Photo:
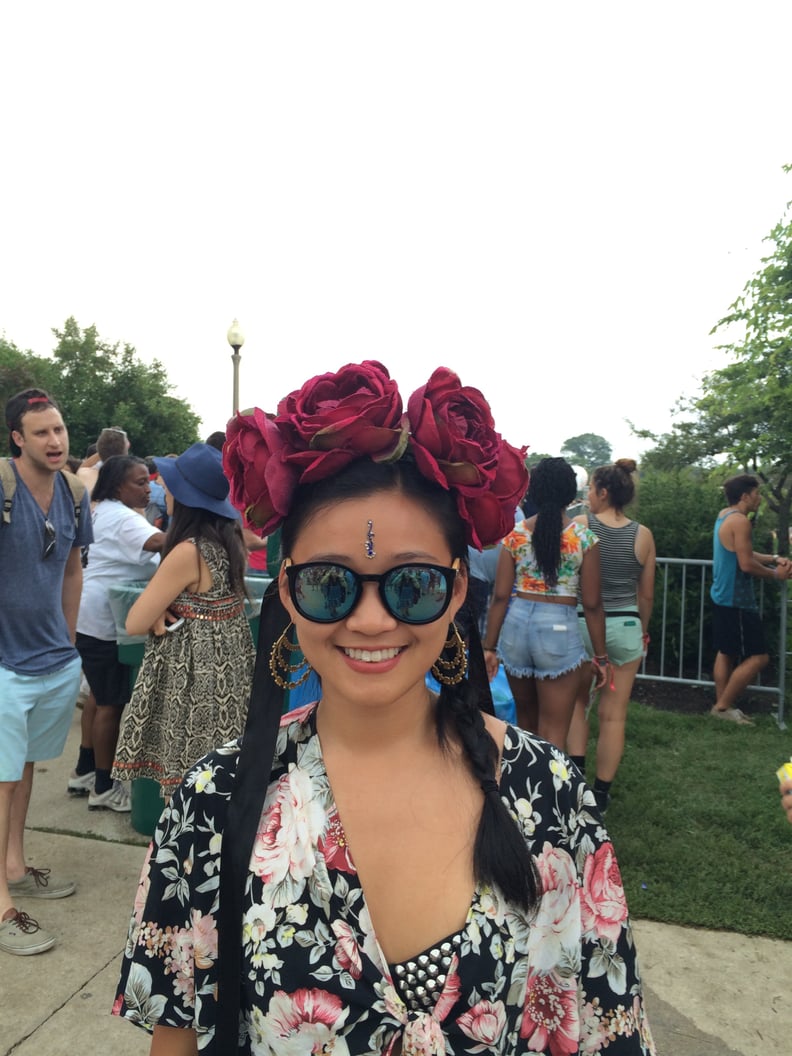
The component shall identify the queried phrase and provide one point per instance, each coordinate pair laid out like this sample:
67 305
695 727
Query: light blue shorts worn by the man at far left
36 712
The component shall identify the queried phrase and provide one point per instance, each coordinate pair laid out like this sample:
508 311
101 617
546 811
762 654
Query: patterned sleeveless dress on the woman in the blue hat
192 693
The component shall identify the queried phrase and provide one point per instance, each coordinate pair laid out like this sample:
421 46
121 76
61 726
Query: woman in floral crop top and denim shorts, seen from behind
533 624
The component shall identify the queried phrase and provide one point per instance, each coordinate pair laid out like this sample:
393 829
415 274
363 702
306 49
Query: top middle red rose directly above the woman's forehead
338 418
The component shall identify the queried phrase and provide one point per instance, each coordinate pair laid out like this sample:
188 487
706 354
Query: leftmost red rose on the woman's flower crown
262 481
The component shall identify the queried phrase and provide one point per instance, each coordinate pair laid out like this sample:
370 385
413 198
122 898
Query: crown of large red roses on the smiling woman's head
357 412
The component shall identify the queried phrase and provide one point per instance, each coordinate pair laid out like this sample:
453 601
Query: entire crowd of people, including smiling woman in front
388 869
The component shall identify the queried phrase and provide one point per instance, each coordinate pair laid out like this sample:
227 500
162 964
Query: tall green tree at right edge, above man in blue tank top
742 416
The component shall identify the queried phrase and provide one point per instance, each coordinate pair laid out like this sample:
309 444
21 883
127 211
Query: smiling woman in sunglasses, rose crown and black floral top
385 871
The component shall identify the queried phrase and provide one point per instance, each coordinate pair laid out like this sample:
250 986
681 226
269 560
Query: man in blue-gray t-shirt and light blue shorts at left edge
42 577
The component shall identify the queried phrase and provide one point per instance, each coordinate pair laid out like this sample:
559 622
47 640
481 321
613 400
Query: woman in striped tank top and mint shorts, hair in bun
628 579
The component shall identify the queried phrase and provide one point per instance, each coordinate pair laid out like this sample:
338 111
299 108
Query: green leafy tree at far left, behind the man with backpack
99 385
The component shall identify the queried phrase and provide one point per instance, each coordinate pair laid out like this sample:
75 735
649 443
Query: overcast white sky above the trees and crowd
558 201
